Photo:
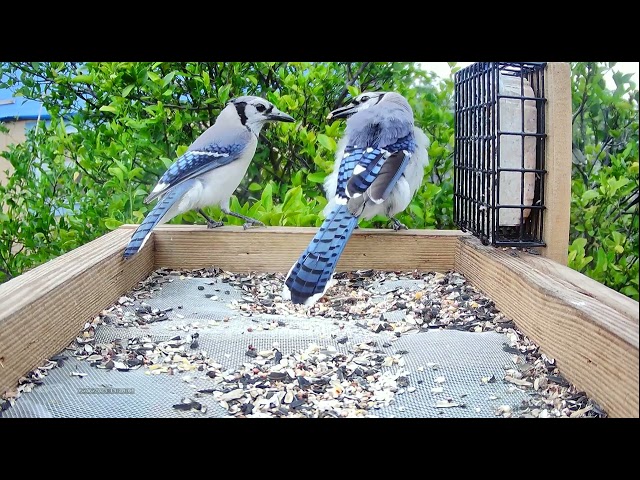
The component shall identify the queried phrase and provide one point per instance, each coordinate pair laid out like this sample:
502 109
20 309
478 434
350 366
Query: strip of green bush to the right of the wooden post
604 203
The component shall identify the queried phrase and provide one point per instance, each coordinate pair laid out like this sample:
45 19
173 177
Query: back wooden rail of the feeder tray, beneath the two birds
275 249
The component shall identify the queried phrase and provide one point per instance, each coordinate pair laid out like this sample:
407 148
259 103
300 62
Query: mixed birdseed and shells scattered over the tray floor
318 381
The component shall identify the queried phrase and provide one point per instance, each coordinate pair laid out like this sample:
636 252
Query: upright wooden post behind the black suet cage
557 191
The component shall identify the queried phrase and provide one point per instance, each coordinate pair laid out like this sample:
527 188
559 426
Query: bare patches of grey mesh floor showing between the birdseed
440 364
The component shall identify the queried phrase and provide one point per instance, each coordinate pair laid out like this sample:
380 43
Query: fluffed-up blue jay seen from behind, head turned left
379 165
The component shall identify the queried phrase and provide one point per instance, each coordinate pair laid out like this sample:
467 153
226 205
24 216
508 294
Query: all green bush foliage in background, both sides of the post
83 175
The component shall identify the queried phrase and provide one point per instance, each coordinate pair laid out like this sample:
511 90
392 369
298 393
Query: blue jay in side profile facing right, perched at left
211 169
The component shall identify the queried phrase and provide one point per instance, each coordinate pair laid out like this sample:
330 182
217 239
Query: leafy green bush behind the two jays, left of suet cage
84 174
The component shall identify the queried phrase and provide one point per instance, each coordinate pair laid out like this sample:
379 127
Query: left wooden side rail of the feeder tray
42 310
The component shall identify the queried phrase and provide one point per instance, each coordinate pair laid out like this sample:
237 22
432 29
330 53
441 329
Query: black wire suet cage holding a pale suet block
499 152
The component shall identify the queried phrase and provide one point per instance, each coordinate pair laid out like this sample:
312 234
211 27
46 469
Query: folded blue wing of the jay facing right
193 163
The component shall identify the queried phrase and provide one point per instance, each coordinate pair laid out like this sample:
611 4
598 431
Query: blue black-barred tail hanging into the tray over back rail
313 270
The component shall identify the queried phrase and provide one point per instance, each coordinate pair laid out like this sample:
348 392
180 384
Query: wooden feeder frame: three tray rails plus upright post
590 330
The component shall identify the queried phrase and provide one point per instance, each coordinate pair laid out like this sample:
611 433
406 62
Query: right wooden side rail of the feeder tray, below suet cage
589 329
